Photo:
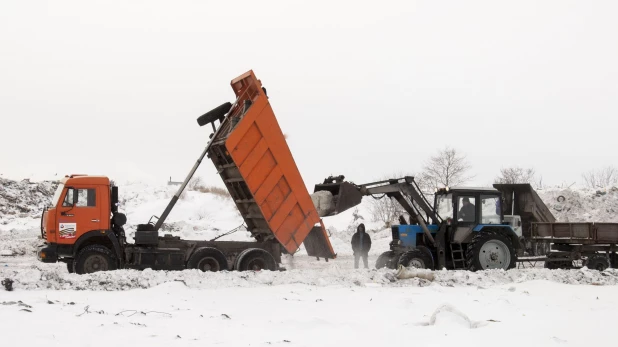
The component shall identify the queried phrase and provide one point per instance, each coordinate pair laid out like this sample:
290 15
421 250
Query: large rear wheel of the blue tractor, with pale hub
490 250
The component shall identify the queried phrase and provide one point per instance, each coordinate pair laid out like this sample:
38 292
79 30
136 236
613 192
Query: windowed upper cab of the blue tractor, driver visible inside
469 207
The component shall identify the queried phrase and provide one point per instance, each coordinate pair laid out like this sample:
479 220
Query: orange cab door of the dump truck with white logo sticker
85 215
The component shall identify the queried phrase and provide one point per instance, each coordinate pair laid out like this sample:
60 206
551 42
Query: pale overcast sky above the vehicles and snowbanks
363 89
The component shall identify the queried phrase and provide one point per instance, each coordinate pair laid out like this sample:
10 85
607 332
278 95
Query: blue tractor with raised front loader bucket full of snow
464 228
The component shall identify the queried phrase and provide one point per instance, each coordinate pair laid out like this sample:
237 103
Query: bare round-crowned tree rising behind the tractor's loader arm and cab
447 168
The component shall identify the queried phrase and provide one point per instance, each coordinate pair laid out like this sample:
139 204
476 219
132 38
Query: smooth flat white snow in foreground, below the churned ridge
529 313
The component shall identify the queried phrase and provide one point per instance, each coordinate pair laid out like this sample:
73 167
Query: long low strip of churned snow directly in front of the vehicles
57 278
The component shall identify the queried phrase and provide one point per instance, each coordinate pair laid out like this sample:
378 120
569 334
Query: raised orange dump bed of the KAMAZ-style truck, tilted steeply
252 157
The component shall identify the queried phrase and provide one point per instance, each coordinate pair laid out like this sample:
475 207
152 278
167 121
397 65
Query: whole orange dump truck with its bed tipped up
84 228
